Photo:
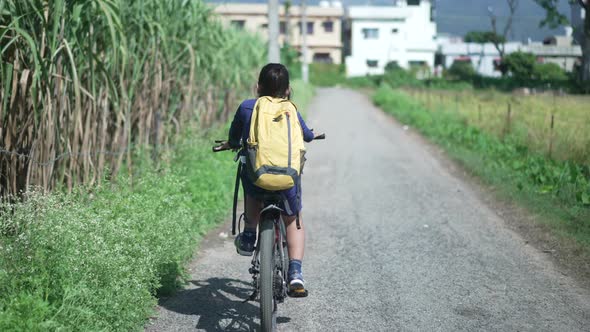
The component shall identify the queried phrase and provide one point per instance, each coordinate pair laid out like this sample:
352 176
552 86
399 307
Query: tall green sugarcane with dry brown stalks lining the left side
83 83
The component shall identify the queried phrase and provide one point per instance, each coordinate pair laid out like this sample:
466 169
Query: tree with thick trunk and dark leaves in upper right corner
554 19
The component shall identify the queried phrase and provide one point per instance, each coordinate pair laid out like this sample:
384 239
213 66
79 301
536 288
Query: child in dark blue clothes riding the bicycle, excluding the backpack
273 81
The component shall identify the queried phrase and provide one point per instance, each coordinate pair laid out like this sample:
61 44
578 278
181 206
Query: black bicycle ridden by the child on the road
270 261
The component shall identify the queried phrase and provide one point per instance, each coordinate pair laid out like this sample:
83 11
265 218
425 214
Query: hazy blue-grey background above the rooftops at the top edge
460 16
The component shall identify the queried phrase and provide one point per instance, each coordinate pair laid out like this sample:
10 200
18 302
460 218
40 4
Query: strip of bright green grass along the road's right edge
558 189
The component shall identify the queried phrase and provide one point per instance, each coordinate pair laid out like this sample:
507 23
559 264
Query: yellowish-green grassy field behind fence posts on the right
530 120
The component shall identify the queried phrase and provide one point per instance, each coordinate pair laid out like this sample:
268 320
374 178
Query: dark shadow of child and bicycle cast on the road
218 304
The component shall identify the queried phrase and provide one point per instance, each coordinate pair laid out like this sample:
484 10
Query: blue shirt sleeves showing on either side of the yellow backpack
240 126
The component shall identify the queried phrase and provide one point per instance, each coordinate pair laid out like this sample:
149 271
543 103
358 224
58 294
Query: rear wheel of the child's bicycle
267 260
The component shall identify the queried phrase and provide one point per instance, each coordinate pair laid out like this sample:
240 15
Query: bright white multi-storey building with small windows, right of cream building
378 35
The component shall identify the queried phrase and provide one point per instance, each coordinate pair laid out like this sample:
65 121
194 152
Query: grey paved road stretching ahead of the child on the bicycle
395 242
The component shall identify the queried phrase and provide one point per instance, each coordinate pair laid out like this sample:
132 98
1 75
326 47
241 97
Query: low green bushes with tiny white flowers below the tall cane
94 259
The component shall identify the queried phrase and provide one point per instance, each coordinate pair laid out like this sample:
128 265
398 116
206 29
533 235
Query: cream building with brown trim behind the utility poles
321 42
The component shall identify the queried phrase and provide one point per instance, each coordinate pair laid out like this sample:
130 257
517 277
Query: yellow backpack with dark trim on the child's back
275 147
